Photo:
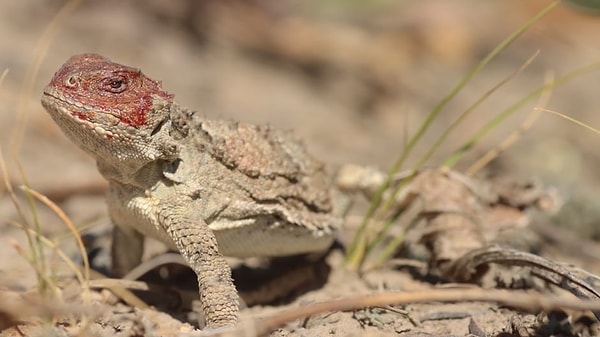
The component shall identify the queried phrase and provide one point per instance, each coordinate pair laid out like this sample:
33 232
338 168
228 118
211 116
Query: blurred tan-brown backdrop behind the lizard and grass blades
353 78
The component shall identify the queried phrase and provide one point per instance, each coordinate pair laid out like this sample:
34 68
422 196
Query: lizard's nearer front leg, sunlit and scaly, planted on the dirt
198 246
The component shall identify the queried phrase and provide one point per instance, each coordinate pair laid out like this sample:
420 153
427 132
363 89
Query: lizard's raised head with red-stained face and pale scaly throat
112 111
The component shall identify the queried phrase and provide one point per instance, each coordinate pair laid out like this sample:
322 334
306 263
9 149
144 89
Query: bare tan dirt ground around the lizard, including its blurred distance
353 80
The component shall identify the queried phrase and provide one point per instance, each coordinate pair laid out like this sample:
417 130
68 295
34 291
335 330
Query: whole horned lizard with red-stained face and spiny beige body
203 187
